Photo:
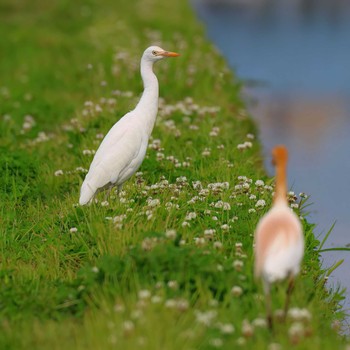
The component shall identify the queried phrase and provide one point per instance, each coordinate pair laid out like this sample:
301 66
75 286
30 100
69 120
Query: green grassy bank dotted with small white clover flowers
81 290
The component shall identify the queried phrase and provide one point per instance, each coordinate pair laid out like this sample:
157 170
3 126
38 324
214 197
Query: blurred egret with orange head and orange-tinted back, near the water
279 239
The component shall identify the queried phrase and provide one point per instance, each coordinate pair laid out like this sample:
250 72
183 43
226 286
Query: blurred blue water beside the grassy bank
294 56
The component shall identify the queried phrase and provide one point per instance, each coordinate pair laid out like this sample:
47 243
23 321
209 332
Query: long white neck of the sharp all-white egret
147 107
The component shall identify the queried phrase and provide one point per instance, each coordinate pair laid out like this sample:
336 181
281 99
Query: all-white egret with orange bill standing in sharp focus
124 147
